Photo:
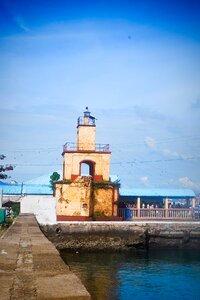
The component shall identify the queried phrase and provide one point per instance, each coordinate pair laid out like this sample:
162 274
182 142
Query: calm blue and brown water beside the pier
157 275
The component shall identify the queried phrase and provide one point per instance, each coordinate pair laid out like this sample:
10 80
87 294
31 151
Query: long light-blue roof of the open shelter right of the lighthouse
173 193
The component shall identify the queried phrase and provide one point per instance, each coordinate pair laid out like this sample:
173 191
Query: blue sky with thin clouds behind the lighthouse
136 64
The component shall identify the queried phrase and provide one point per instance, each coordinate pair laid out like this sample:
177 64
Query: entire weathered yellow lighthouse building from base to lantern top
92 195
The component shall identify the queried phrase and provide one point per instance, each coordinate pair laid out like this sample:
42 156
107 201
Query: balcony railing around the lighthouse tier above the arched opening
86 147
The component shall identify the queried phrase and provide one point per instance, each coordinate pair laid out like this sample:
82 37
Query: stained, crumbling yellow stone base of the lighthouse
85 198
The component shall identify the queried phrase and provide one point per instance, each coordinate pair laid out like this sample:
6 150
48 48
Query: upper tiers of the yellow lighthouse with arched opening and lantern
86 152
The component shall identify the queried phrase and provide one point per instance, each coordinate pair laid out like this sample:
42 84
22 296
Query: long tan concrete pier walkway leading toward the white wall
31 267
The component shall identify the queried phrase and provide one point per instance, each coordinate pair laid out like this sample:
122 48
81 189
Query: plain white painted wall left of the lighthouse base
42 206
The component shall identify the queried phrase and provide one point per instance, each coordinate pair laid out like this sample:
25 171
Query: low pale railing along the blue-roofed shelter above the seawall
158 213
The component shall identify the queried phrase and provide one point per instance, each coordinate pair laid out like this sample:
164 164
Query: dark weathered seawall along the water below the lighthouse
124 235
